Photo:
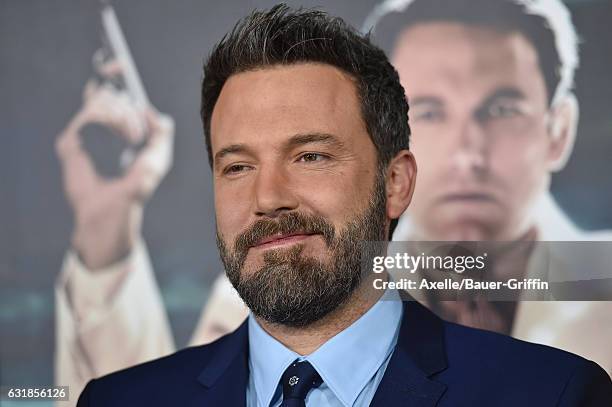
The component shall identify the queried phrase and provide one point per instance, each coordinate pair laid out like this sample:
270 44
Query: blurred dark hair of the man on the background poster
502 15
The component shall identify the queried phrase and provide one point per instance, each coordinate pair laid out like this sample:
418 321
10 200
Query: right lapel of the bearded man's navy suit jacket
419 354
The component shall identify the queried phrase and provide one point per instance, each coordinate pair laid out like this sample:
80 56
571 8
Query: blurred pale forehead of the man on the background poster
455 58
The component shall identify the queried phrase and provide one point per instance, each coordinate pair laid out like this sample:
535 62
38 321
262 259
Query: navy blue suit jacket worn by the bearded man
435 363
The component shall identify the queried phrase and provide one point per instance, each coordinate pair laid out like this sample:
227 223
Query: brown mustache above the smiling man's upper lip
293 222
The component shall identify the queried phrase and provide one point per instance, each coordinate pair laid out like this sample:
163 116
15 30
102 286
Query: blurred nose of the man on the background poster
471 152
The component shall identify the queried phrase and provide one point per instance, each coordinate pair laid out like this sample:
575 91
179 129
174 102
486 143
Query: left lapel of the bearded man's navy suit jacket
225 377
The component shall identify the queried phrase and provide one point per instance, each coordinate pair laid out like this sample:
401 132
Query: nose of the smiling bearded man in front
273 192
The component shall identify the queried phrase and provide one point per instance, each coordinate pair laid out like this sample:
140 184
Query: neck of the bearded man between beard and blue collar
305 340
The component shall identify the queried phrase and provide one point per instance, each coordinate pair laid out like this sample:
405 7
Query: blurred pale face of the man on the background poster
478 113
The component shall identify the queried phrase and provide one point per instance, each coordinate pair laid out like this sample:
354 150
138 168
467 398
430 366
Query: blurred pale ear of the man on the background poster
562 130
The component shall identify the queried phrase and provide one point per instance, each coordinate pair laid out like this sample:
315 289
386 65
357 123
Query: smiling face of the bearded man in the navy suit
296 188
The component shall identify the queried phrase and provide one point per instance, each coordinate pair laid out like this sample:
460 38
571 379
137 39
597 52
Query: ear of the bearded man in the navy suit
400 181
